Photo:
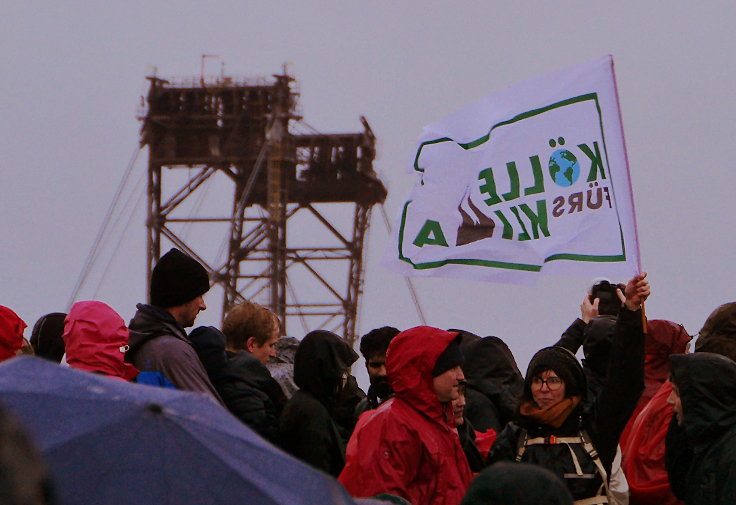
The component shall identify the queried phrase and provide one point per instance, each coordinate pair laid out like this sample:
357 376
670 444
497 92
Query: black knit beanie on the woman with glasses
564 364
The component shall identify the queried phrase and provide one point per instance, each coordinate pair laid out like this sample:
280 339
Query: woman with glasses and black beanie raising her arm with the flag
559 428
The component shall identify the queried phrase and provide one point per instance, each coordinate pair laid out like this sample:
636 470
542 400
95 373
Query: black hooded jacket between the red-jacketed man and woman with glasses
494 383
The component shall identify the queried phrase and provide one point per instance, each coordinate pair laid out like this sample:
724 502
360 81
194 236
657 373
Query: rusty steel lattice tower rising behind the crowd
277 216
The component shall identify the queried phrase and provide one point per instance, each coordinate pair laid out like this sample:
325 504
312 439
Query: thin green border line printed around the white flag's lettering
502 264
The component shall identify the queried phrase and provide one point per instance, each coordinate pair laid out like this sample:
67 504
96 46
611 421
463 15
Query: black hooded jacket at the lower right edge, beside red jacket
701 451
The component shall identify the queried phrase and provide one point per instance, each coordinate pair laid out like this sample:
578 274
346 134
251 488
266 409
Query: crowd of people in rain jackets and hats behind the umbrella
448 417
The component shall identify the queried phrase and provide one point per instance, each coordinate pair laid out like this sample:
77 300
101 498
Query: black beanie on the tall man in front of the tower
177 279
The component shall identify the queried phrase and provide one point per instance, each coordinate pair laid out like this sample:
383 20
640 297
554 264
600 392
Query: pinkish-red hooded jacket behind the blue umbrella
96 339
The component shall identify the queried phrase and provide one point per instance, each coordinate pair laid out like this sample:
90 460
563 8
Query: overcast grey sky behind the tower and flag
73 73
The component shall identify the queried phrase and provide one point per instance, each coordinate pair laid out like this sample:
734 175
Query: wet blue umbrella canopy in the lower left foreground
110 442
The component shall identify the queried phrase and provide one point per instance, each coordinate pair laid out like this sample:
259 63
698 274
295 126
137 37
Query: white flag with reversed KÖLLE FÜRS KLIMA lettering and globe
531 179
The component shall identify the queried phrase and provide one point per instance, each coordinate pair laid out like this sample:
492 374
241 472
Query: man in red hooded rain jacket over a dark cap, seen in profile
409 446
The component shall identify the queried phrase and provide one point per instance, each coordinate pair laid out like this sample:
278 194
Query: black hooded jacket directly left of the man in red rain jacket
307 427
